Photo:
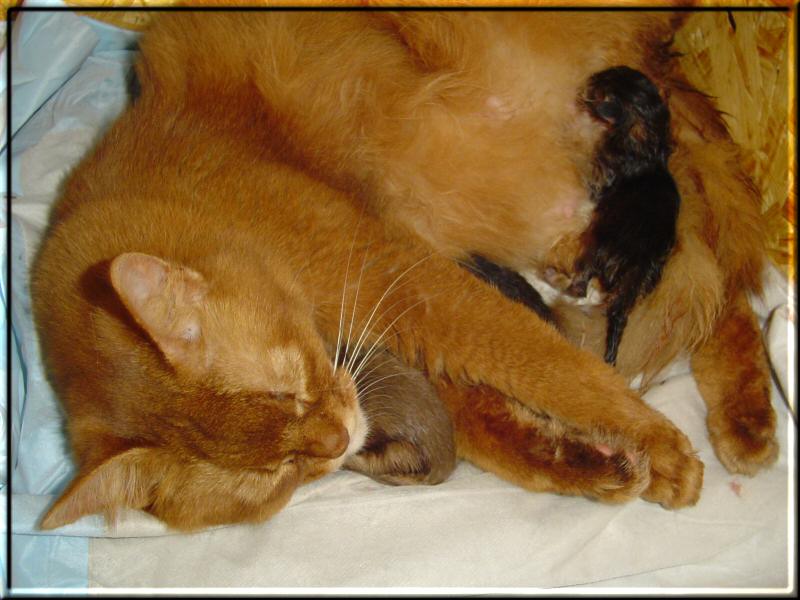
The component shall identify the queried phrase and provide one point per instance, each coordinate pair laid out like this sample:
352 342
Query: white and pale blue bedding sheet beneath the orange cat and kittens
474 532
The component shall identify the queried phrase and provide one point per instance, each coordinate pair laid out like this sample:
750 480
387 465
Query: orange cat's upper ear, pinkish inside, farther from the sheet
167 301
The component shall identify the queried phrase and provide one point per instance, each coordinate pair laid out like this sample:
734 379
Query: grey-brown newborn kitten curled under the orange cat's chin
410 439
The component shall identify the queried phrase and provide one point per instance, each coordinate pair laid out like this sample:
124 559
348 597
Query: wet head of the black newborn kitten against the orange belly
631 106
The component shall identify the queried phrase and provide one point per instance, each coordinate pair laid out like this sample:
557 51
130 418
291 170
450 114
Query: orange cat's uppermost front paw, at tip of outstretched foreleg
676 474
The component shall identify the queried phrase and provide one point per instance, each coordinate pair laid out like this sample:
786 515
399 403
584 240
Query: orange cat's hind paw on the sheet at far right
743 436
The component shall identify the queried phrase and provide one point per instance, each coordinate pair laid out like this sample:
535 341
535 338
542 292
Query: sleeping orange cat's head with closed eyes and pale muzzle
230 401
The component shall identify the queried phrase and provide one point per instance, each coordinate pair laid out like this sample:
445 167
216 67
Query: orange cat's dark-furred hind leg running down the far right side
729 363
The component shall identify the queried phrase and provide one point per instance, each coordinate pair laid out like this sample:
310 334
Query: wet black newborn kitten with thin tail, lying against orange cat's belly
632 230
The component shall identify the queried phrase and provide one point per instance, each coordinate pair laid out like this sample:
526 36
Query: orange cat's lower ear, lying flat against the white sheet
126 480
